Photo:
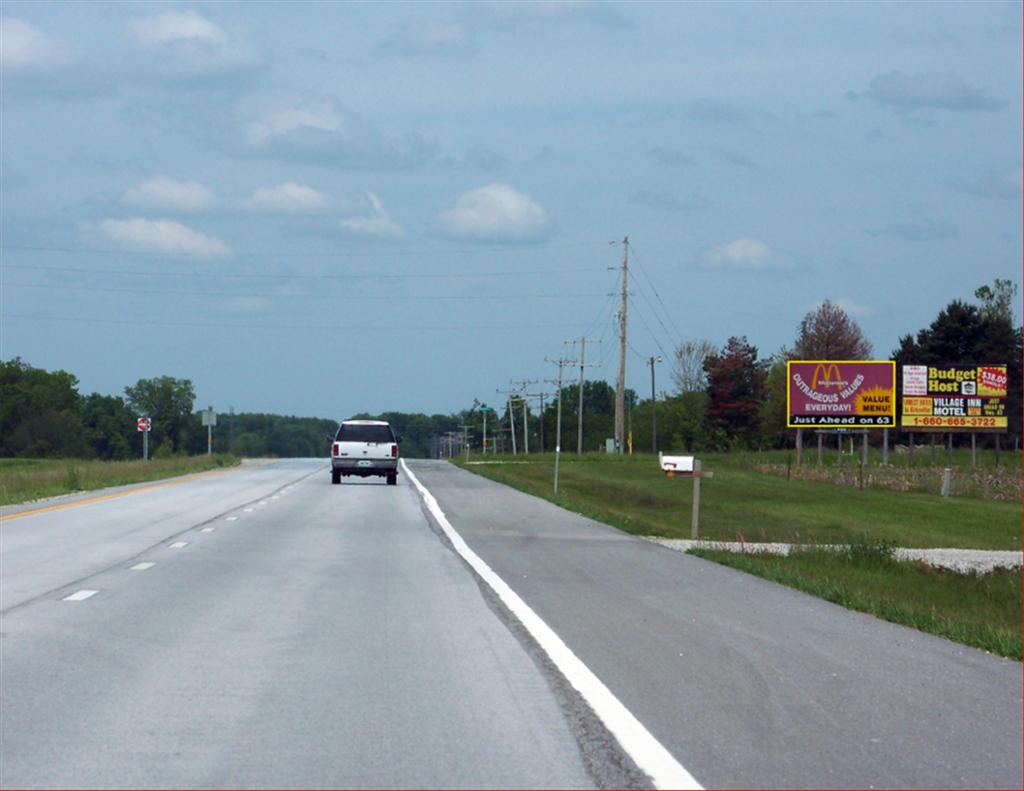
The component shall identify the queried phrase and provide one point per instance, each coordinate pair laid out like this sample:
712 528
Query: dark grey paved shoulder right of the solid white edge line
748 684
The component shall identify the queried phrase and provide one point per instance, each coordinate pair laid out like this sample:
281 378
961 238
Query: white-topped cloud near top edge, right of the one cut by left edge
188 48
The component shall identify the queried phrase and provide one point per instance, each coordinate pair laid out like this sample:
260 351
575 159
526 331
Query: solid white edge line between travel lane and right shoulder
637 741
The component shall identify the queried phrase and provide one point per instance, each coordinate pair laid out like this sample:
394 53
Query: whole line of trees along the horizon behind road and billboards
723 398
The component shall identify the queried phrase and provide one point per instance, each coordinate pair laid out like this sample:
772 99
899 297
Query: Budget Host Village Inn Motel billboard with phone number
961 398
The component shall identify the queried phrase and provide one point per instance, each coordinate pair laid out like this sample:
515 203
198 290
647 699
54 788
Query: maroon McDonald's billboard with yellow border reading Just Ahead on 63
848 394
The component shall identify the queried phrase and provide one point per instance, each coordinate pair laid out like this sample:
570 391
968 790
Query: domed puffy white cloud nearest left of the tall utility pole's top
496 214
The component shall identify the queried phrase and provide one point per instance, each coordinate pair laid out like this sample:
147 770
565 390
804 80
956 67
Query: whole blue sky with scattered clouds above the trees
322 210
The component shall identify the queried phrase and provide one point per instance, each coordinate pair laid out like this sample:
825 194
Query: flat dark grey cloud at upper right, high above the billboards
906 94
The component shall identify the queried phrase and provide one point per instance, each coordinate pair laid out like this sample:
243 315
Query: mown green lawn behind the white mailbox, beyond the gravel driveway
631 493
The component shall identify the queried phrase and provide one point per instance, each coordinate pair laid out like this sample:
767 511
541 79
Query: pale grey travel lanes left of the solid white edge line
325 639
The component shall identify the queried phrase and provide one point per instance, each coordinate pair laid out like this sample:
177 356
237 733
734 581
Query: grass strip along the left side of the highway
25 480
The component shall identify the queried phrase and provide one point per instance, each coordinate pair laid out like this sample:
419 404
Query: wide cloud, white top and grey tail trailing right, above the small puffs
320 131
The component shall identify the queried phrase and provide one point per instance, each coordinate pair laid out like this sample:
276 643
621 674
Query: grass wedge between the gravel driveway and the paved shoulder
978 610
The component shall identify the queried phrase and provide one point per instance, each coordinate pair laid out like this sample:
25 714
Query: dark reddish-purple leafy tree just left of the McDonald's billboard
736 392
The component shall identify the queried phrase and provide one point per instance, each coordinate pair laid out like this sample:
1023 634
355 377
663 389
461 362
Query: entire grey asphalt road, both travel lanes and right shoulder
265 629
